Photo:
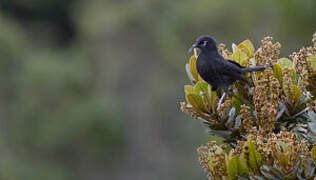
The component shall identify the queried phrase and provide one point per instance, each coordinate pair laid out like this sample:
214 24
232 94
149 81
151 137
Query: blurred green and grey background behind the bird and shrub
91 89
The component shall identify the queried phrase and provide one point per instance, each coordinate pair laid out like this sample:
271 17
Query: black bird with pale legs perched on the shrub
215 69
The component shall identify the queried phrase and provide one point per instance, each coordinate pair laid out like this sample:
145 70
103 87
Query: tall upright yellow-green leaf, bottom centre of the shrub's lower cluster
254 157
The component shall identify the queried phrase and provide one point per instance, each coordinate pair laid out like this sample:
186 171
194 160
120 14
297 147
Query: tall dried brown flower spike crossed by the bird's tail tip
266 93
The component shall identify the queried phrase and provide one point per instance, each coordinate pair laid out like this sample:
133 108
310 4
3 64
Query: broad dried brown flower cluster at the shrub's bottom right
282 150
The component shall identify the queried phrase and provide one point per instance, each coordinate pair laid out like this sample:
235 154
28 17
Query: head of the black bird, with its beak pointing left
205 43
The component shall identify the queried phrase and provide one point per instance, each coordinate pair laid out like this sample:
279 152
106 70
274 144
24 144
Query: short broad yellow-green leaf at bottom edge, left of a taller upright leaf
237 167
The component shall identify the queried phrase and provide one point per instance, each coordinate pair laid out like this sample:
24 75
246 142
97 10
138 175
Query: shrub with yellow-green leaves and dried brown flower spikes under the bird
273 136
